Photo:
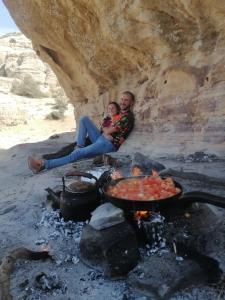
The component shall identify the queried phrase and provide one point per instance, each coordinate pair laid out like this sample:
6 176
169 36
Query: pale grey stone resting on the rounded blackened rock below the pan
105 216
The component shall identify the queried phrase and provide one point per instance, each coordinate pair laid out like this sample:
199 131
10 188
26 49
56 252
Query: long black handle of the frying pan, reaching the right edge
197 196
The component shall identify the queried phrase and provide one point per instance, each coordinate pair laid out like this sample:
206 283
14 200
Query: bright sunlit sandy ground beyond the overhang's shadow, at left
25 121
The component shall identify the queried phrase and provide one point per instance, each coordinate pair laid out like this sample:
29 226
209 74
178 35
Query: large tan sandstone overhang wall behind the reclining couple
169 53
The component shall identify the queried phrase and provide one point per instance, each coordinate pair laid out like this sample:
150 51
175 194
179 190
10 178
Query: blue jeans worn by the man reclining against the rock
100 145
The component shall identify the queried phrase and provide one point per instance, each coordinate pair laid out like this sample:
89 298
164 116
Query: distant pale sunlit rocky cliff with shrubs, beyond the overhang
21 70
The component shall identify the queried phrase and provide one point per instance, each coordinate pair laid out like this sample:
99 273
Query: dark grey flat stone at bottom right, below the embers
161 275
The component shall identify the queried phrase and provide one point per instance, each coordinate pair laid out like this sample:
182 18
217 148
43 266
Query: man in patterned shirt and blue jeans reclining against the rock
108 141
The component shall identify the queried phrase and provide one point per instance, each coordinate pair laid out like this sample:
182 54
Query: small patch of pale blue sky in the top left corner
6 22
